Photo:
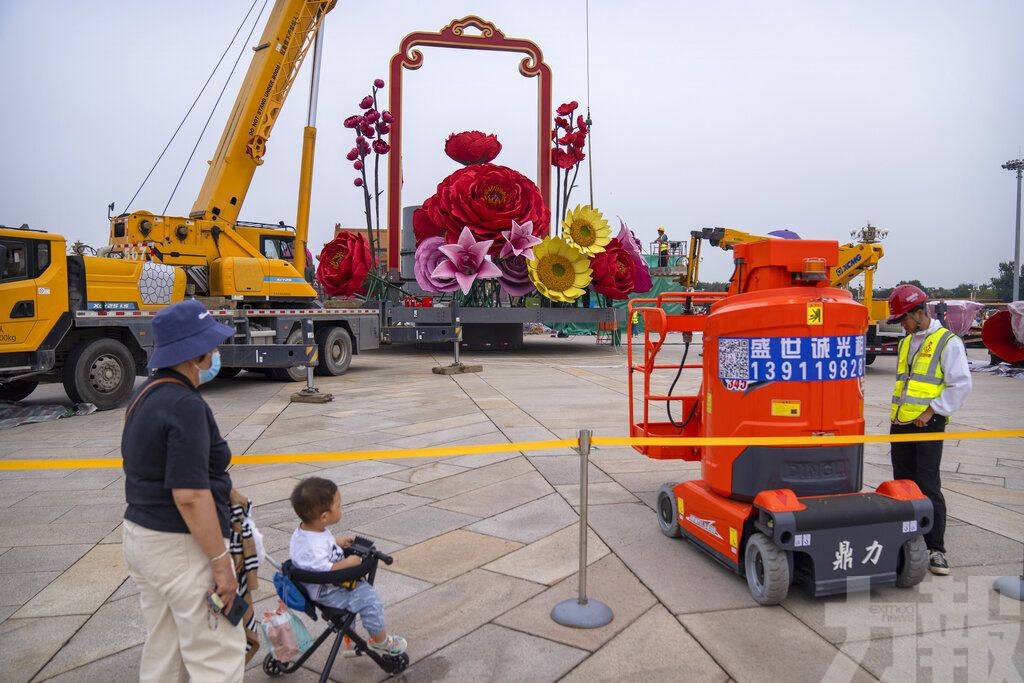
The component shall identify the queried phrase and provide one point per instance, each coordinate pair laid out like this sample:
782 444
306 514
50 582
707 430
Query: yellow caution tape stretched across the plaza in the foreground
452 451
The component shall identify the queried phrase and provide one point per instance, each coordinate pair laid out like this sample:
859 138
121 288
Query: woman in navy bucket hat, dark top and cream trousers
178 521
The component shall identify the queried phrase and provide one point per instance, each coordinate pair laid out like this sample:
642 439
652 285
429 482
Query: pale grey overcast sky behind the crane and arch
813 116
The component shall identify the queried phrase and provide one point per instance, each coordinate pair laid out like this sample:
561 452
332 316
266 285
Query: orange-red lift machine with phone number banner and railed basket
784 356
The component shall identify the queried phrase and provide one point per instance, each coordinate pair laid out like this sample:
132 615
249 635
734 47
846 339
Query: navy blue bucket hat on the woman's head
185 331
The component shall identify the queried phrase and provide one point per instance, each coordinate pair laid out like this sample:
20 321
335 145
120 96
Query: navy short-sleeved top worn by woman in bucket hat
172 441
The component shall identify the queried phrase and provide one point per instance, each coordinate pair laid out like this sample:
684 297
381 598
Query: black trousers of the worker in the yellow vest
920 462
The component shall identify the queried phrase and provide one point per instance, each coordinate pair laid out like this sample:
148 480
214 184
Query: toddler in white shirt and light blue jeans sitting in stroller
318 503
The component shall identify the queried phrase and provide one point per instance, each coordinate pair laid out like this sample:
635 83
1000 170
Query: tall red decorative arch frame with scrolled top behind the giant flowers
454 36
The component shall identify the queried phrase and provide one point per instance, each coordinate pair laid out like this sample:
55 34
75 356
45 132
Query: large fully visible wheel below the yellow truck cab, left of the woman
100 372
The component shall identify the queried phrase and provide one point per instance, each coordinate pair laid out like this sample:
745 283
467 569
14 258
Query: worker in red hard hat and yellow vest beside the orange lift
933 380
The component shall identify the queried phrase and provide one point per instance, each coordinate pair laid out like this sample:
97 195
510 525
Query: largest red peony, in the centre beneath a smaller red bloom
487 199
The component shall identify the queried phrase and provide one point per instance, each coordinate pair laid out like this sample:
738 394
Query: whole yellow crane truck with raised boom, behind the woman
87 321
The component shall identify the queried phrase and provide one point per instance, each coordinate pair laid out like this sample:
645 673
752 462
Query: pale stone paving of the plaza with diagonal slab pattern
487 545
